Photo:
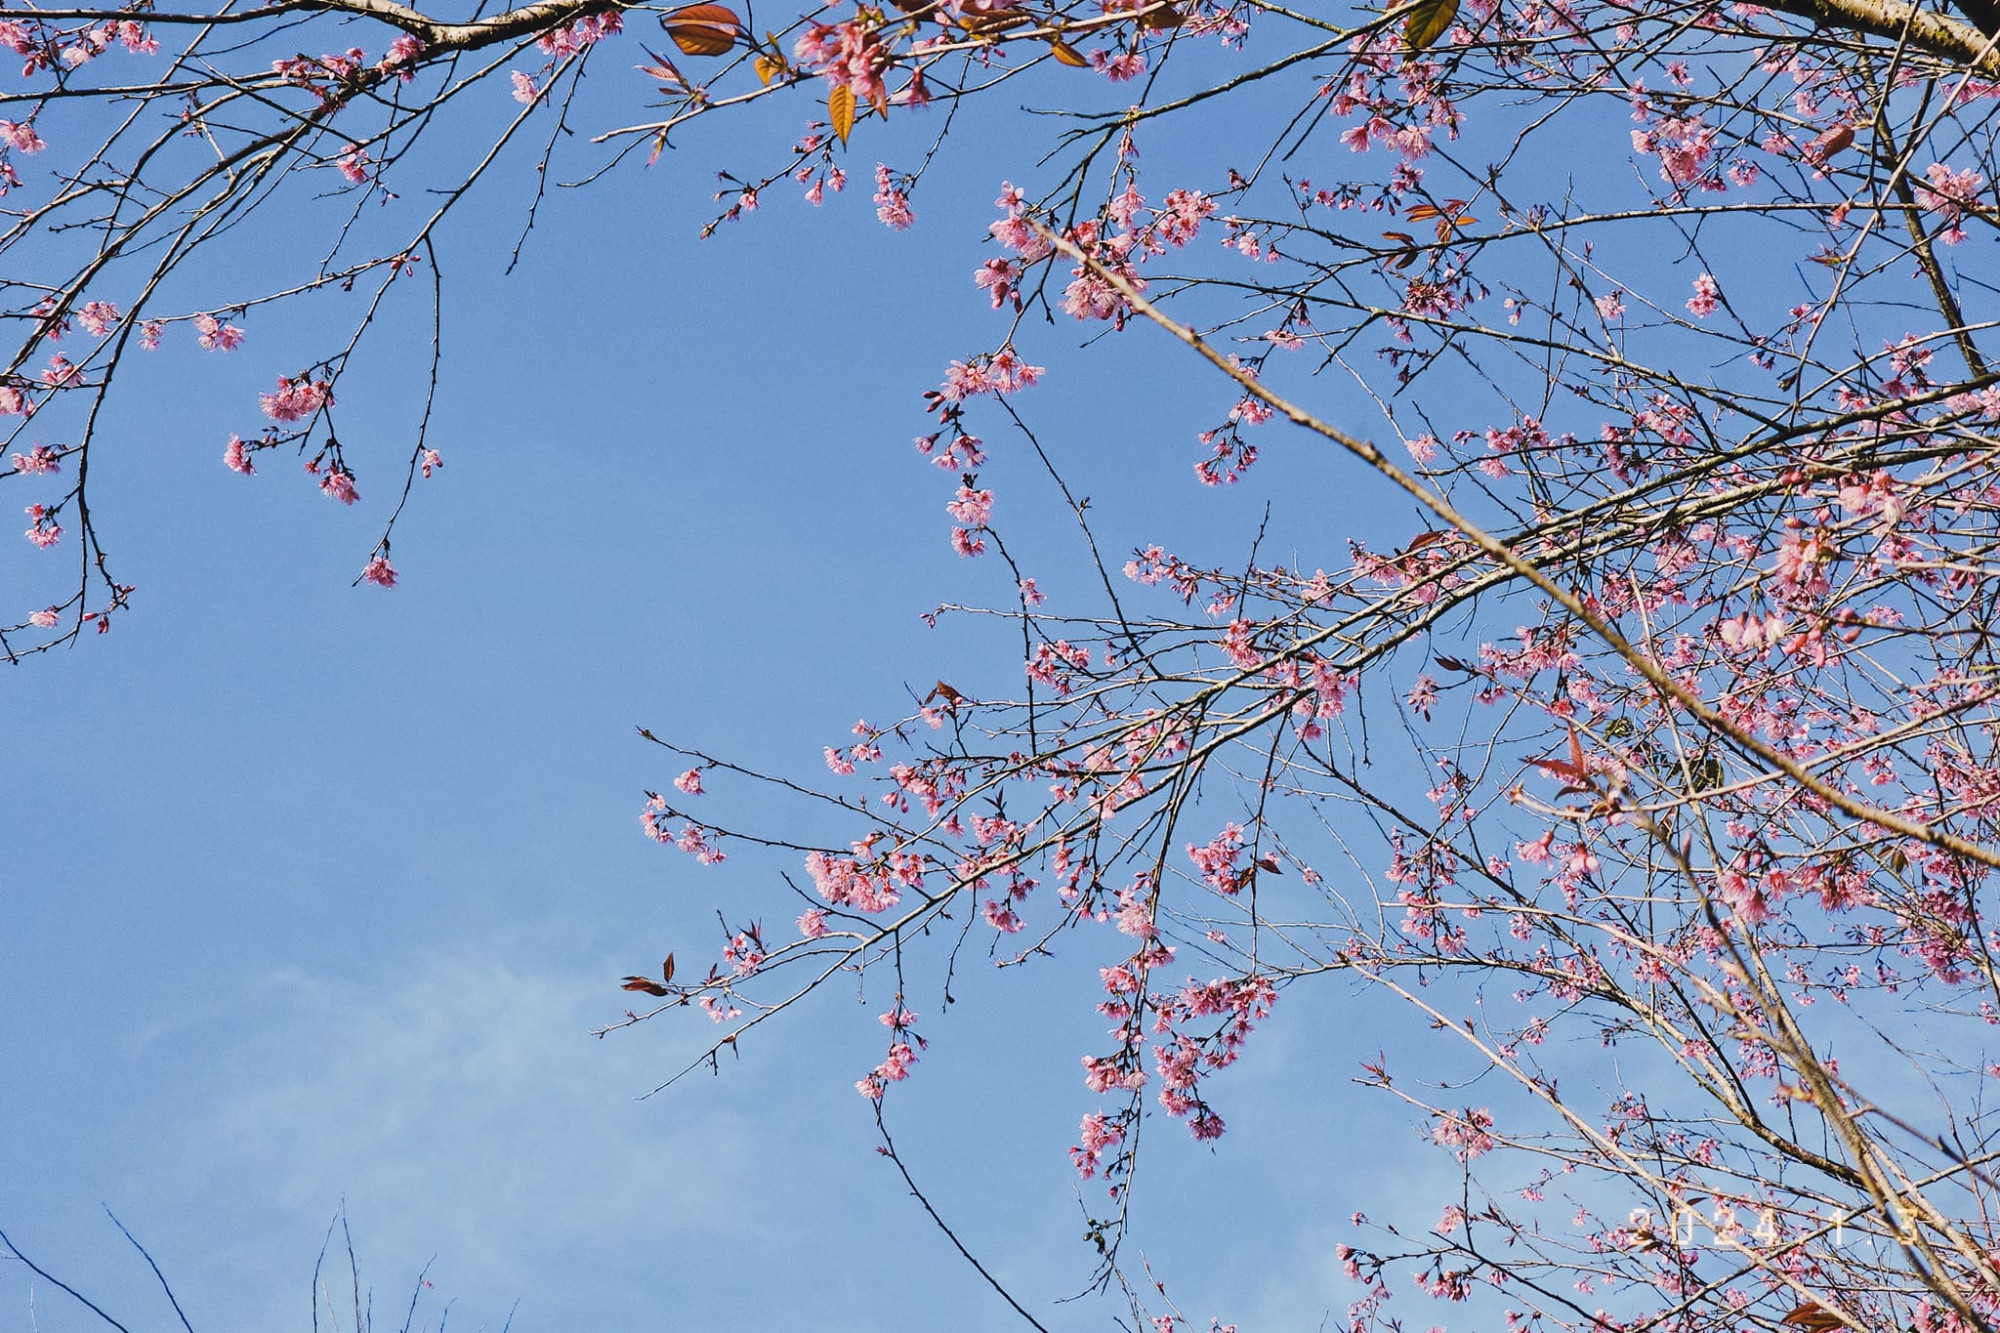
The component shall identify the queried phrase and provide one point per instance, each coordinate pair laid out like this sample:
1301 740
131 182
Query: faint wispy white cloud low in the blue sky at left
463 1112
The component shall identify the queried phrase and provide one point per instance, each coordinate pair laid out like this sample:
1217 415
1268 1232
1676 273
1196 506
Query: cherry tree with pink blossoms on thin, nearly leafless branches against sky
1671 724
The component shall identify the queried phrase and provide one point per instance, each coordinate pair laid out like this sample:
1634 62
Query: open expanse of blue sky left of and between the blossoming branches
315 892
